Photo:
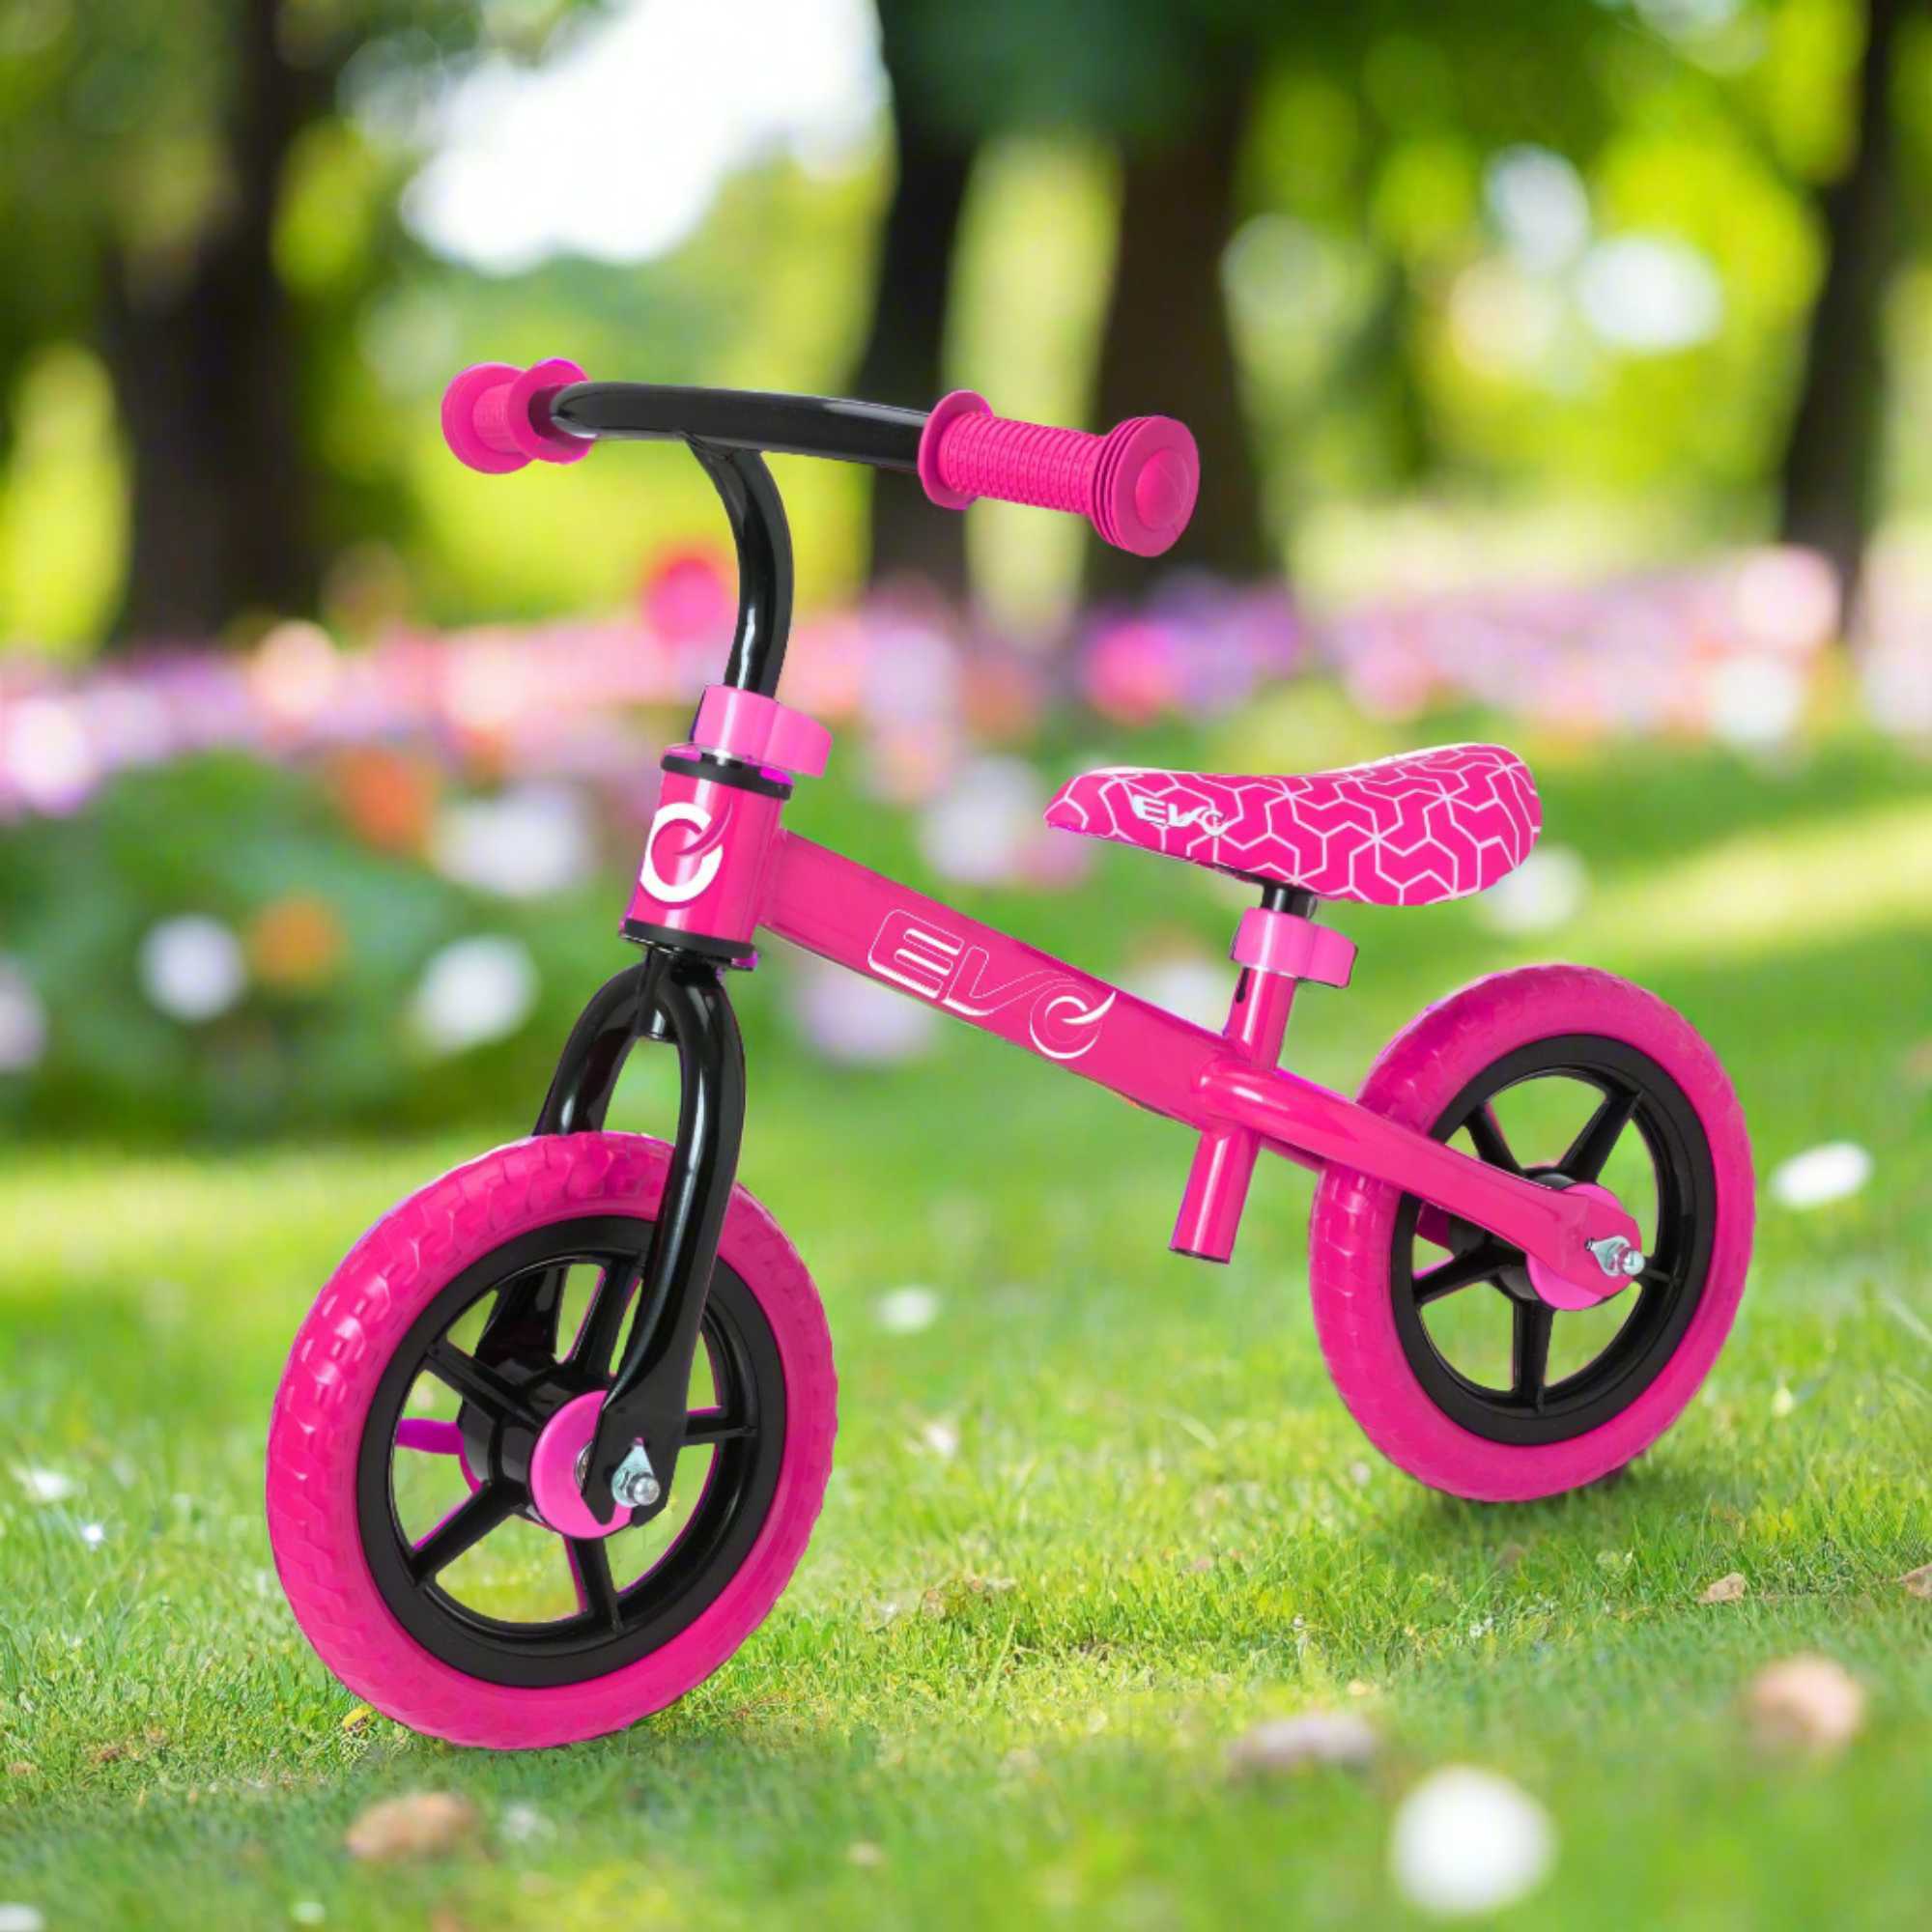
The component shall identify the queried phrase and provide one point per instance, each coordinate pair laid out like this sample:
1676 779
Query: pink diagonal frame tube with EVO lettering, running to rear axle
1218 1085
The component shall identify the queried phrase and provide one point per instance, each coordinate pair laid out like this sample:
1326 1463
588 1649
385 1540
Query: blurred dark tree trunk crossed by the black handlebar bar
903 355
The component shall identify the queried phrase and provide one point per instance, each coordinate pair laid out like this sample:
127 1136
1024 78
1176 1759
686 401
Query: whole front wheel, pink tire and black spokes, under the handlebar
428 1548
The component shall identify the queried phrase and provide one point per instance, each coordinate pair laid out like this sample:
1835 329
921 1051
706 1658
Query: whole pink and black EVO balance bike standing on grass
554 1438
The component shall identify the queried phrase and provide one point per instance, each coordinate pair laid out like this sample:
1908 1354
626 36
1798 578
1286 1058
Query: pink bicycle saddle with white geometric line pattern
1404 832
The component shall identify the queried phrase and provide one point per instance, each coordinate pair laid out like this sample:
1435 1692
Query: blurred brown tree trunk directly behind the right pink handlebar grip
1168 349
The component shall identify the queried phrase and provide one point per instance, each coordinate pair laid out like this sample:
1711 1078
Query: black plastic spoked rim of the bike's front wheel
513 1378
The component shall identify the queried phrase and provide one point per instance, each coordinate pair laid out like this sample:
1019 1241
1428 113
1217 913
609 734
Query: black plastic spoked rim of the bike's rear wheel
1635 1096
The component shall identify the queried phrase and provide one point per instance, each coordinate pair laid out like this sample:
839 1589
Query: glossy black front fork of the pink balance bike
679 998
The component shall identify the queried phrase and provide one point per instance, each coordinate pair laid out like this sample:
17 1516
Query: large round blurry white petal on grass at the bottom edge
1469 1842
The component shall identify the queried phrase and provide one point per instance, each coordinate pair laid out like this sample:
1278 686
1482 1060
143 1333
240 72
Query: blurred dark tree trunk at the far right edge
1833 451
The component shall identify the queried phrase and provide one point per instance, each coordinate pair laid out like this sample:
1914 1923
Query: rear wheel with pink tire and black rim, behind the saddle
1435 1332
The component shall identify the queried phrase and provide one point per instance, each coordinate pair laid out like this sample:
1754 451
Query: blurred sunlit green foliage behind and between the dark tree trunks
1394 337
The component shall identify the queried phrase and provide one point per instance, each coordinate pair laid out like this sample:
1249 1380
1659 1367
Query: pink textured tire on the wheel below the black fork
382 1295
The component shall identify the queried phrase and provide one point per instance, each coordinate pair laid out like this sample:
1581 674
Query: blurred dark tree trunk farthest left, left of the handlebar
206 370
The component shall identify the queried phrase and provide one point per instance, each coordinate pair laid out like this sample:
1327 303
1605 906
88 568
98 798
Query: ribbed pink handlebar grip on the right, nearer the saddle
1135 486
